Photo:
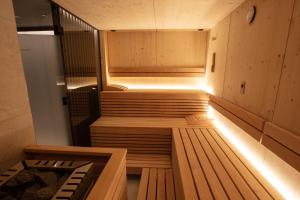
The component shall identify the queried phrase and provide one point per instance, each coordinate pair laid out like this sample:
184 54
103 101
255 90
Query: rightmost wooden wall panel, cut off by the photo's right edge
287 110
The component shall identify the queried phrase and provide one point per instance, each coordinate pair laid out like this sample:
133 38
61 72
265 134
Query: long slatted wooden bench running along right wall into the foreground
206 167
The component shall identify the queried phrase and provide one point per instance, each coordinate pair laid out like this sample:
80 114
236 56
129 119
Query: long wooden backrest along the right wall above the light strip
283 143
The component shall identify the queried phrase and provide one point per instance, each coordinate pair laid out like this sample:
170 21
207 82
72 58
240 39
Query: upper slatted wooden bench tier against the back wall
153 103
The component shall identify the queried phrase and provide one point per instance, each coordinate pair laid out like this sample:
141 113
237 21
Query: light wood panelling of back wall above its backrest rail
162 48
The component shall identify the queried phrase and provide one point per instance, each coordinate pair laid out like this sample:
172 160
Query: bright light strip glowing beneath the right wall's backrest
258 161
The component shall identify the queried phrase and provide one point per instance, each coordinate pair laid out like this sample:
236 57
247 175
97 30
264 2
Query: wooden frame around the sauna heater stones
111 183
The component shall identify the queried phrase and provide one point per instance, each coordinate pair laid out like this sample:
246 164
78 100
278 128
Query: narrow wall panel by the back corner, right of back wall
217 43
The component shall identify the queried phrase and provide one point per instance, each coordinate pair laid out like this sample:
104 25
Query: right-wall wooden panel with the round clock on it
255 55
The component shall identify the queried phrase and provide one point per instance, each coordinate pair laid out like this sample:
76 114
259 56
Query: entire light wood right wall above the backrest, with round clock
264 55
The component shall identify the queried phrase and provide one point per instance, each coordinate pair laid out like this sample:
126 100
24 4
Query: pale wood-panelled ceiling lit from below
150 14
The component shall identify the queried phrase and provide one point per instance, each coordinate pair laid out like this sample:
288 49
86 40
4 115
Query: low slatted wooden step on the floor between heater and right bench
156 183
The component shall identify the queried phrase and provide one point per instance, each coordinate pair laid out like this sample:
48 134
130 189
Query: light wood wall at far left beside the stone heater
16 127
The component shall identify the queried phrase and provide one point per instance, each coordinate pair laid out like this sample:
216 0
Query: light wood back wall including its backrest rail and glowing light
158 59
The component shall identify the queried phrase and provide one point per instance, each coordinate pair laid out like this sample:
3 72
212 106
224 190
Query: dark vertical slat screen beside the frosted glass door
79 47
